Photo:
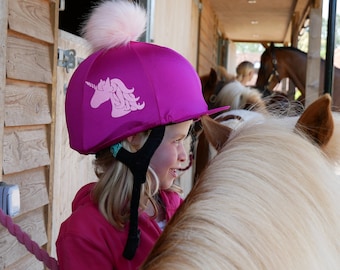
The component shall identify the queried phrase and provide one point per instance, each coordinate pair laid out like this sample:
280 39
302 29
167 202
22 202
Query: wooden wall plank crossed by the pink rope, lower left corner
11 250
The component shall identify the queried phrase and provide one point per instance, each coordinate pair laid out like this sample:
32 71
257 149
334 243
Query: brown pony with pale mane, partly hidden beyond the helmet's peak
220 89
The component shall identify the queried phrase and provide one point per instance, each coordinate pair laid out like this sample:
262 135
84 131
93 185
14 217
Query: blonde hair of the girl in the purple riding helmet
113 191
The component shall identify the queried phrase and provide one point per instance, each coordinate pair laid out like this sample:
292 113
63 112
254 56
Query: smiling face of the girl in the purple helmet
170 154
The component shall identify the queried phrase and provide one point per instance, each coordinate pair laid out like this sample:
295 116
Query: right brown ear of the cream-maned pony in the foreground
317 120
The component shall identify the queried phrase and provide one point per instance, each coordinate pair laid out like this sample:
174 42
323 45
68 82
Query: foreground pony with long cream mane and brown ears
269 199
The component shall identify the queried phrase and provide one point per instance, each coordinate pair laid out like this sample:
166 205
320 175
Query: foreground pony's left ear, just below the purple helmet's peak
216 133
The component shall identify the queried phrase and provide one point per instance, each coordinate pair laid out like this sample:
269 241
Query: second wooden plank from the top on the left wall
27 60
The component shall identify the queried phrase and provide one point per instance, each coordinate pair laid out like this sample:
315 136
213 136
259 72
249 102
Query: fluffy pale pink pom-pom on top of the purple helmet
114 23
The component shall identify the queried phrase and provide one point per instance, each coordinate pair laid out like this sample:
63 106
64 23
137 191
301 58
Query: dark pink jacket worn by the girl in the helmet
88 241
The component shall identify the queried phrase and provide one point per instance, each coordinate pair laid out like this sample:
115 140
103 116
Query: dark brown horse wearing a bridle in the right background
289 62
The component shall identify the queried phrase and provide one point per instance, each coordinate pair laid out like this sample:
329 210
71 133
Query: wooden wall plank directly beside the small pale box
32 186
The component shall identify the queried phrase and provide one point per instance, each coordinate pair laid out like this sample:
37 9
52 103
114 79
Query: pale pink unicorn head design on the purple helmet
122 99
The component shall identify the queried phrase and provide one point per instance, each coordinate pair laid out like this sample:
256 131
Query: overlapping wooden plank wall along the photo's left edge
27 71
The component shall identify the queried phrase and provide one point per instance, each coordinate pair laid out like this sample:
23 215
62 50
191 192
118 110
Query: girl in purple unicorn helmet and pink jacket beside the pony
131 104
